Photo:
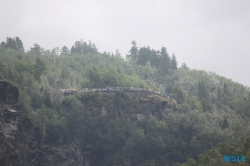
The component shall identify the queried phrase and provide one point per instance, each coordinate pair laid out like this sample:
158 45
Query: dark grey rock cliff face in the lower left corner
20 143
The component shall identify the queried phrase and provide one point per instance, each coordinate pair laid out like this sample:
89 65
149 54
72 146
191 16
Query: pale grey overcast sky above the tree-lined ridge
213 35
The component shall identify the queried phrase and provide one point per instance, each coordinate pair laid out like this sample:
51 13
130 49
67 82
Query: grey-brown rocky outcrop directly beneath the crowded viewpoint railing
132 108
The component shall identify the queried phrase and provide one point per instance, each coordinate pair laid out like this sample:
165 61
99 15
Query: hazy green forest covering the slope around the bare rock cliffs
207 116
